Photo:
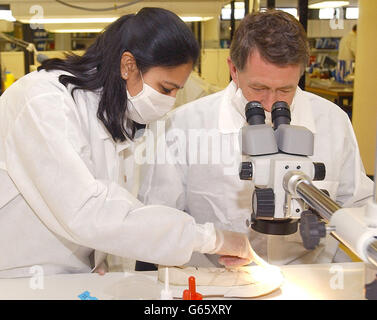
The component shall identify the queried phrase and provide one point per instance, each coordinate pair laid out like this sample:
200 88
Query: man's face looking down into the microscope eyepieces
266 82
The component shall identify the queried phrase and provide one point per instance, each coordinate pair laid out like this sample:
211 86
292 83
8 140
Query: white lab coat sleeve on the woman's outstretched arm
43 160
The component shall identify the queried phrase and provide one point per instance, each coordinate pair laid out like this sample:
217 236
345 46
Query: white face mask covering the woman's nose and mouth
148 105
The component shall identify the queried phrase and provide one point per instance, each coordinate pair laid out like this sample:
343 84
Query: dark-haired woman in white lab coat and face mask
65 131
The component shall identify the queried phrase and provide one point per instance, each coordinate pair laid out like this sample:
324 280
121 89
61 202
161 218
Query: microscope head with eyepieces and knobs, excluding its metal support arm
274 152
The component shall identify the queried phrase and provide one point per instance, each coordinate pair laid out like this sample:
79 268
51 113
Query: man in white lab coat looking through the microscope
200 172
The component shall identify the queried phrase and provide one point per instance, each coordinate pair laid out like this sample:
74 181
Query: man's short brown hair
277 35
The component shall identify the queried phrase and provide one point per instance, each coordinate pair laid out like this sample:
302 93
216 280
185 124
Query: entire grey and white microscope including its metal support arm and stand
285 199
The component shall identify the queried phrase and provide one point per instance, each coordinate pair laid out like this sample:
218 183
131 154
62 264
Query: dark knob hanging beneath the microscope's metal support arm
311 230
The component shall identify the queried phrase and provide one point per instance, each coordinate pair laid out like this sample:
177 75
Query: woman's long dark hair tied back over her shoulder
154 36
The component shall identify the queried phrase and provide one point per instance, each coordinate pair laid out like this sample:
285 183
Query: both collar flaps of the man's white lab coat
231 120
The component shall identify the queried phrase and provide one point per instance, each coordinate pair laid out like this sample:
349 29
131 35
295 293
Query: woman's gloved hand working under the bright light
235 249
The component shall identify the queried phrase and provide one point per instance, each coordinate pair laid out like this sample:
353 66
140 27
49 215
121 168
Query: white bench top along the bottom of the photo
320 281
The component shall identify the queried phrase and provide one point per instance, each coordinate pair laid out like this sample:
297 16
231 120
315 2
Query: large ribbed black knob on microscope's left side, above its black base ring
264 203
